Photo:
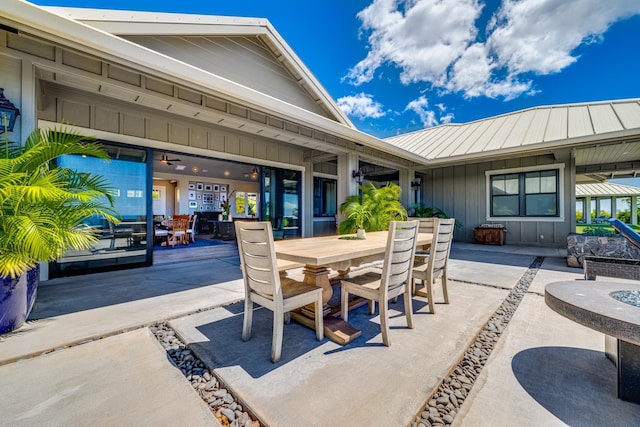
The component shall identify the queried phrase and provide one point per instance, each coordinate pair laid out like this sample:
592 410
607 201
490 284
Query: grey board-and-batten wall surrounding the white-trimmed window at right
461 192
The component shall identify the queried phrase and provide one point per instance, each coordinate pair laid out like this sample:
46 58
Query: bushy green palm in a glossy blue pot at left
42 210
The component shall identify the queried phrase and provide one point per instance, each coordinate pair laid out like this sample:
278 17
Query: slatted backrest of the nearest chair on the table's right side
401 248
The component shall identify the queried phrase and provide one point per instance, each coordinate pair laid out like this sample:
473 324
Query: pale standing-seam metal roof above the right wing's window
530 130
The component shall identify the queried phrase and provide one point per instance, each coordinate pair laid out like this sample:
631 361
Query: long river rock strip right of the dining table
444 404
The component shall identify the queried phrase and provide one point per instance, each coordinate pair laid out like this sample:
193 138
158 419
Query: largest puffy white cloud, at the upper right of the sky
436 41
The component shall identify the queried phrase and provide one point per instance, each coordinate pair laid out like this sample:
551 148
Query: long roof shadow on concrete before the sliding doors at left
78 293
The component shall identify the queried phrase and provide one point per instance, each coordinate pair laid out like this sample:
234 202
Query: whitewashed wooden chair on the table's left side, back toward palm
263 284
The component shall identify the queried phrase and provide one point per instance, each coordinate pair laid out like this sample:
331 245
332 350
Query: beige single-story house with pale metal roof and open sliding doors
195 110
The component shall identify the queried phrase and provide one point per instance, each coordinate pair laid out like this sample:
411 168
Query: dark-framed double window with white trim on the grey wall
525 194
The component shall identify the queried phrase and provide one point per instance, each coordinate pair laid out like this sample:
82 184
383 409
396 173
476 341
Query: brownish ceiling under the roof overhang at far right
602 162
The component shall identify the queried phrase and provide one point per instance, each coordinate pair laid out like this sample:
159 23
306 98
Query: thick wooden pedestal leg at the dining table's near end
335 329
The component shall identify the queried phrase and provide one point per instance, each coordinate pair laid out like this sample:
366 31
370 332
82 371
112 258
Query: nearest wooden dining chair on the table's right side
395 279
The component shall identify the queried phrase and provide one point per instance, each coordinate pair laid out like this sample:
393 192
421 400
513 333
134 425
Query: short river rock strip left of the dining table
222 403
